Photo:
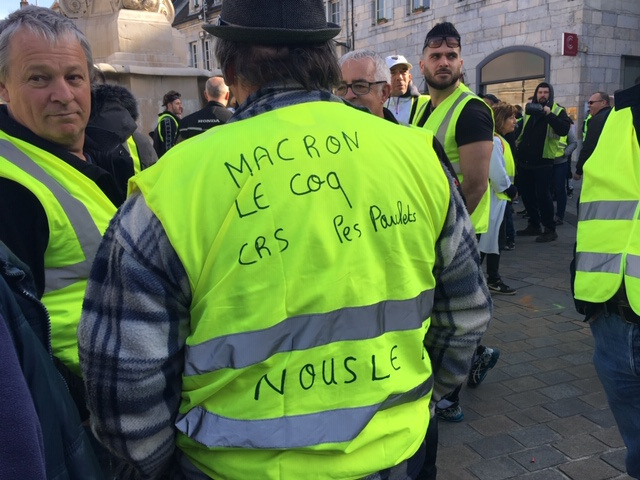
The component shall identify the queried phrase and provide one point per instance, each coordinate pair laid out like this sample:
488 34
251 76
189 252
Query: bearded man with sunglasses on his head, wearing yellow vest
467 134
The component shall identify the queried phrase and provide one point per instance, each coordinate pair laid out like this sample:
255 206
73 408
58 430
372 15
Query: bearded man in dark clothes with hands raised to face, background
545 123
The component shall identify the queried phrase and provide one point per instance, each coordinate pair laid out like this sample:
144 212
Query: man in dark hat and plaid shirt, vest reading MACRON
267 301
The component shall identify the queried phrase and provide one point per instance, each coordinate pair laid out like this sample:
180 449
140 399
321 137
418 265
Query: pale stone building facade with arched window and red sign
508 46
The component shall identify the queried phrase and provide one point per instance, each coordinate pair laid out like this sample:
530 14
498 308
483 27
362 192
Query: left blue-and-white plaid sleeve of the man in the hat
137 289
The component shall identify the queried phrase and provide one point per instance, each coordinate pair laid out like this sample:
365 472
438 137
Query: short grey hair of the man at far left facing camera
44 22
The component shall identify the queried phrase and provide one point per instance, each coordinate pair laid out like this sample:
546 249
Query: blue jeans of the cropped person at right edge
617 361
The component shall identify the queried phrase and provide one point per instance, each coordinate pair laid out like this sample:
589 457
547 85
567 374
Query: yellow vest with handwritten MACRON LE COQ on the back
310 263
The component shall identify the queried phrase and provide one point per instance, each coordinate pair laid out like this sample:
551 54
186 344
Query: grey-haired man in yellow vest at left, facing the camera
59 187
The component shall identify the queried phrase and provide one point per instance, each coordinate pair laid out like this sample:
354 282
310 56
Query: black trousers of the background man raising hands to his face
535 188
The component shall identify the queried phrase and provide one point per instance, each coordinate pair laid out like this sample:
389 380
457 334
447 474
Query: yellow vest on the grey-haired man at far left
78 214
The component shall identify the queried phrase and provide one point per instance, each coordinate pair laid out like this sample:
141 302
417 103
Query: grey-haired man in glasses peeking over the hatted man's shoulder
365 82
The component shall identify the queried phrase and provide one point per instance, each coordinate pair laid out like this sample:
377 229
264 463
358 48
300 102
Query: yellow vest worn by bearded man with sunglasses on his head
442 122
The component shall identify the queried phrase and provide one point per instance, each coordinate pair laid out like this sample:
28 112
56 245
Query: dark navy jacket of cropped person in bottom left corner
67 450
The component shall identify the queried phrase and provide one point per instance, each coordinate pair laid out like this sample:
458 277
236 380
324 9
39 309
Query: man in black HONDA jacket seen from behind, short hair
214 113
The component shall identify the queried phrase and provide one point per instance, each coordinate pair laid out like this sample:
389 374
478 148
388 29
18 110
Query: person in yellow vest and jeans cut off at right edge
607 265
